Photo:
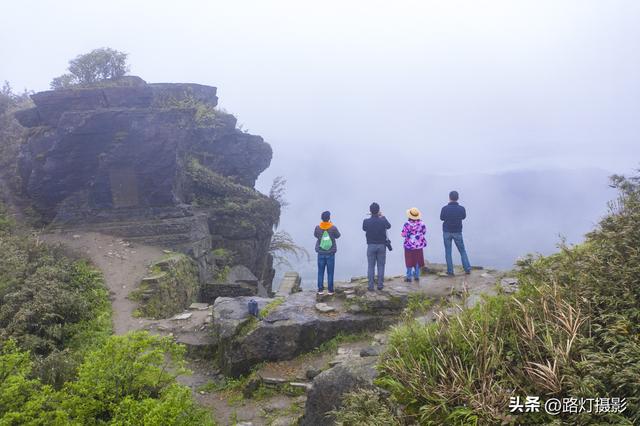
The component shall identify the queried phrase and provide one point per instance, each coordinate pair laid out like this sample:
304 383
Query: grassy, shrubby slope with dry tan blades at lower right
572 331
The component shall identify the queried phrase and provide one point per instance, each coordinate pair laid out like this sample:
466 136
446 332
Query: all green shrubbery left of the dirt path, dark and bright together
58 363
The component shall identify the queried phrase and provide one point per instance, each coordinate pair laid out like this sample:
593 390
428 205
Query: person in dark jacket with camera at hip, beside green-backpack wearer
376 230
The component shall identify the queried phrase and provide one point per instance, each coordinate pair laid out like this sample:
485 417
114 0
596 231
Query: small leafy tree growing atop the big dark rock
93 67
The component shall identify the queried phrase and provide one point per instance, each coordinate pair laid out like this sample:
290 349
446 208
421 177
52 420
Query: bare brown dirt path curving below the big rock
122 264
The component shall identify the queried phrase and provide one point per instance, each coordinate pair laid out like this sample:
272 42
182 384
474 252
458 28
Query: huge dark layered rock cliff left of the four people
156 163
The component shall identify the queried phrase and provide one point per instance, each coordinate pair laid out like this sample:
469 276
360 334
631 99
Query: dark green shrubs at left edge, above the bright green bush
53 306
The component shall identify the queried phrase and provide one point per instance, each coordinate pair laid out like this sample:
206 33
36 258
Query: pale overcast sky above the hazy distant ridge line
487 84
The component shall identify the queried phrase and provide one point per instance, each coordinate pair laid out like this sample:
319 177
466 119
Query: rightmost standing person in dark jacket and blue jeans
452 215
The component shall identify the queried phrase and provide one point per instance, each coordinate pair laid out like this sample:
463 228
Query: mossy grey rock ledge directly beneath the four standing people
300 322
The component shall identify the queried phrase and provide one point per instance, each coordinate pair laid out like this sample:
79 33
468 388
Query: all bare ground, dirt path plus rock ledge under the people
301 353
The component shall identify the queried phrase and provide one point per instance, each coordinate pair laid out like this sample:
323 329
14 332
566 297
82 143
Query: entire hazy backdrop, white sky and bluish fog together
524 107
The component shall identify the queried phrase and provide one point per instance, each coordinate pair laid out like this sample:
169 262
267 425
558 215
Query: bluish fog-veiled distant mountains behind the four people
509 214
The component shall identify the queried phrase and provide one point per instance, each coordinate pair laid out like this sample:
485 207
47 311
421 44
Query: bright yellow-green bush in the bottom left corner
128 380
